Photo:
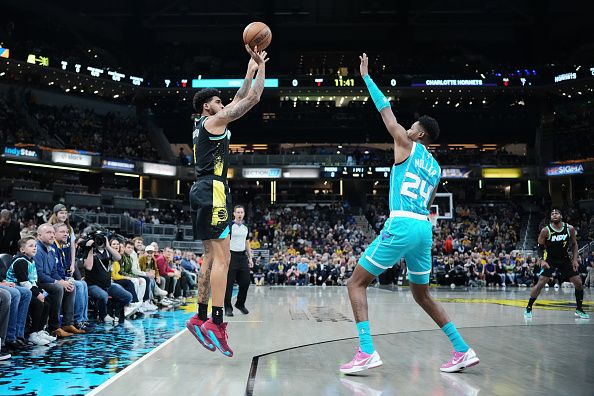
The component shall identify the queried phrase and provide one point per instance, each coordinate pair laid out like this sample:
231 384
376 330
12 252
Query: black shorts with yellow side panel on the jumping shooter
210 208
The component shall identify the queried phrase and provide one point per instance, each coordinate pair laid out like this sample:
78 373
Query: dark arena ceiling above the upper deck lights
497 31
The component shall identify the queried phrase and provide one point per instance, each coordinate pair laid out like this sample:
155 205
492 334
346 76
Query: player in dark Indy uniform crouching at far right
553 245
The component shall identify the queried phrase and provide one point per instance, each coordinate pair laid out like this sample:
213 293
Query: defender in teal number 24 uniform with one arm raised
407 233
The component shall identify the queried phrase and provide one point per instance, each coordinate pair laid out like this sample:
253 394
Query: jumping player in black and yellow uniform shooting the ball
210 201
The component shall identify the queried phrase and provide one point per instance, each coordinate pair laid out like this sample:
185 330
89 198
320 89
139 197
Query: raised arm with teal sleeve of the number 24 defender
383 106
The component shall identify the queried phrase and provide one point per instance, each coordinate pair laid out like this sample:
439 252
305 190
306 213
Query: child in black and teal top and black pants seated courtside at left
23 272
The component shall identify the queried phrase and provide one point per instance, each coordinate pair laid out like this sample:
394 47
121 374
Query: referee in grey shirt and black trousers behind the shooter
239 269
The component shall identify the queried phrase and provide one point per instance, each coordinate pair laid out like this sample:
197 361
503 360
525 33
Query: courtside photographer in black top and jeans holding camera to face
98 256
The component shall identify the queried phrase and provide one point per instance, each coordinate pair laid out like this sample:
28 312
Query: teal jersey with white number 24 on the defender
413 181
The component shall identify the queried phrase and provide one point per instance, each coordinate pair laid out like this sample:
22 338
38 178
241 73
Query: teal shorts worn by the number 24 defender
406 238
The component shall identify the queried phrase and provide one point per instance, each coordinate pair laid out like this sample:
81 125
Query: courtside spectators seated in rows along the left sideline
54 284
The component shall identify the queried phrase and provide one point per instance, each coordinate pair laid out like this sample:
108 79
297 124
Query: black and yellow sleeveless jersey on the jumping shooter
211 152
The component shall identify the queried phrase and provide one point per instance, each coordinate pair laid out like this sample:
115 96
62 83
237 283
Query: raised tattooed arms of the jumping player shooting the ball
217 123
